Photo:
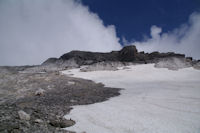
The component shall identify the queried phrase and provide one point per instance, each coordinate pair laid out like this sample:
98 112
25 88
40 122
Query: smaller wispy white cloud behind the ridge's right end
185 39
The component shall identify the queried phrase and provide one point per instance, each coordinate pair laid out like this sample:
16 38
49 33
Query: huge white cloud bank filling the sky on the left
33 30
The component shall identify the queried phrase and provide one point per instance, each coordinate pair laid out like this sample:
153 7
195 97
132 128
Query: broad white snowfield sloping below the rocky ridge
153 101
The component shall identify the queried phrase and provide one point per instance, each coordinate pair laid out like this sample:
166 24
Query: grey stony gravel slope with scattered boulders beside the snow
37 102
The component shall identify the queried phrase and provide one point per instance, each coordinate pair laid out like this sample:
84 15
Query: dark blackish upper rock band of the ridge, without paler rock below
127 54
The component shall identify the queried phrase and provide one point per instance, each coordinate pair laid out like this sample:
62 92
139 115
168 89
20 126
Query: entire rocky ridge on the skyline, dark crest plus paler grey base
128 54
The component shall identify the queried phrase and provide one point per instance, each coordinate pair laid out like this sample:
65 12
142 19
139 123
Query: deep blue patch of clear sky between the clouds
133 18
